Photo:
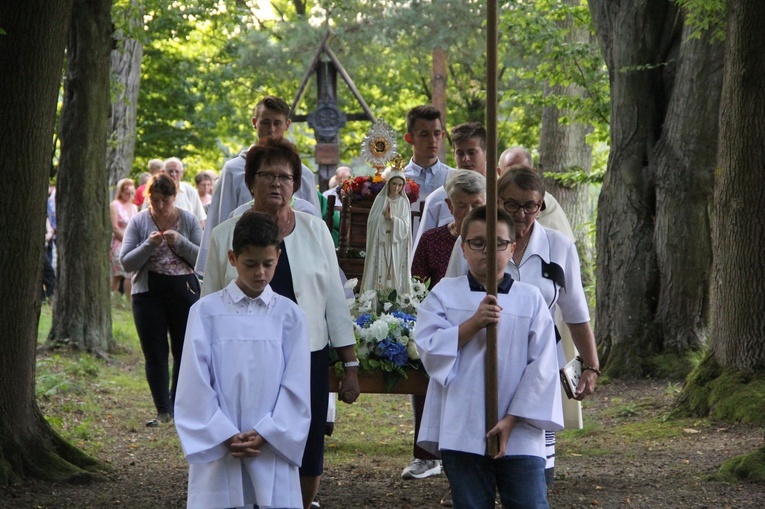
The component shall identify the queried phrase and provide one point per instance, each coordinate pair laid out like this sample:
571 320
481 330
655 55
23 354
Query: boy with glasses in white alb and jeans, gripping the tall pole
451 339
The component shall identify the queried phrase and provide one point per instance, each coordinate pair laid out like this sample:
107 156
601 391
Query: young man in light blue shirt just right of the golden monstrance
425 133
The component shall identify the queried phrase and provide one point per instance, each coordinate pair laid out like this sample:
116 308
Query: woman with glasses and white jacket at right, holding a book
548 260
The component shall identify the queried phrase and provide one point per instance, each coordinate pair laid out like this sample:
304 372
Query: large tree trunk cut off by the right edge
738 270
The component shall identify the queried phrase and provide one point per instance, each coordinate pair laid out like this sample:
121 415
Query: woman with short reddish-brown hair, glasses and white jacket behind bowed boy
307 272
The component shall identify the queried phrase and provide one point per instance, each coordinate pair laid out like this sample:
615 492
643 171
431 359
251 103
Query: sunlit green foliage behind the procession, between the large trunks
206 65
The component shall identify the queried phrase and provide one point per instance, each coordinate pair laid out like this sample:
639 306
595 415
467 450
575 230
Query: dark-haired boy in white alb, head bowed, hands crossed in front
242 409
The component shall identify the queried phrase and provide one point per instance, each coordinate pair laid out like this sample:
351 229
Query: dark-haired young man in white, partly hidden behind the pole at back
469 142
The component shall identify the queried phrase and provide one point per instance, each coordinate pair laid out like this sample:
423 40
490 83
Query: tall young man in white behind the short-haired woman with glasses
271 120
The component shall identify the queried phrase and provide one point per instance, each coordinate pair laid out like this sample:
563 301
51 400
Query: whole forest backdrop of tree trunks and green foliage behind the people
668 92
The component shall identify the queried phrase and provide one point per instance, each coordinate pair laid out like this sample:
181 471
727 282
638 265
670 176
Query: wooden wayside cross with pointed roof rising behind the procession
327 119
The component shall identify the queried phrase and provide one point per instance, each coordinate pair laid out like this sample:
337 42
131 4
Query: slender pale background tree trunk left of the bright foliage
126 70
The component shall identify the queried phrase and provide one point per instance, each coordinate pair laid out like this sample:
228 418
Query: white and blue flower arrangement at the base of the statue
384 324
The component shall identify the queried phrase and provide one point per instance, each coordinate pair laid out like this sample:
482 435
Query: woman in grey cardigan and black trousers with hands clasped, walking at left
160 246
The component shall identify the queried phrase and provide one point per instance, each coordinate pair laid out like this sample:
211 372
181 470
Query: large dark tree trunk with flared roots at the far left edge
35 32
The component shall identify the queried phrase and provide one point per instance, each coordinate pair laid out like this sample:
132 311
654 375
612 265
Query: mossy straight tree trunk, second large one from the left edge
82 306
